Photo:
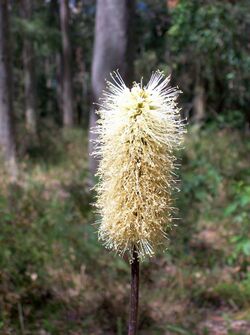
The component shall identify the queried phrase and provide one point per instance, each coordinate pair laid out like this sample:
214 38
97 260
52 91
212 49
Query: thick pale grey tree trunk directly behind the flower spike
113 49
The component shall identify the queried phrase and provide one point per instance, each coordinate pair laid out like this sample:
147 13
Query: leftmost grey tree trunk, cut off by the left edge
7 140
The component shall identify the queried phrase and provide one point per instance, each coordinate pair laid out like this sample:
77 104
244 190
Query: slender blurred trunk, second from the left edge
29 74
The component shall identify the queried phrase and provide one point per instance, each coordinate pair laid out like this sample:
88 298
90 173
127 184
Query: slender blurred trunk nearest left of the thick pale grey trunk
67 97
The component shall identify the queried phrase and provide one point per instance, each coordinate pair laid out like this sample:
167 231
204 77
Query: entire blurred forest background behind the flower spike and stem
55 277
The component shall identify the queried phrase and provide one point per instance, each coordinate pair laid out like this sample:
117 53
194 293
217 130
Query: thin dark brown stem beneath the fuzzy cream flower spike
134 295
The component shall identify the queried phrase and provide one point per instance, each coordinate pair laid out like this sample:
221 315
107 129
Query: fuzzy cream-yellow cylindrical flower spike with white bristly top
138 131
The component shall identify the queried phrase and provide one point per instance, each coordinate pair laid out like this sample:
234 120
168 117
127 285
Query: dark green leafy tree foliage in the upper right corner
209 44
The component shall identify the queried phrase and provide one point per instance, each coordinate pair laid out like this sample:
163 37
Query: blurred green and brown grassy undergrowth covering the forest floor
57 278
